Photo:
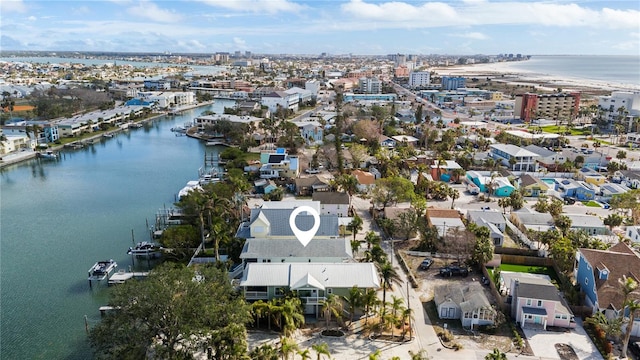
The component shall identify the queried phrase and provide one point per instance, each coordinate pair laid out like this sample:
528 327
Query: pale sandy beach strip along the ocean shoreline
509 73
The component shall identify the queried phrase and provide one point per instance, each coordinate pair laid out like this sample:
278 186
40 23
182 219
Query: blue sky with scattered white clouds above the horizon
332 26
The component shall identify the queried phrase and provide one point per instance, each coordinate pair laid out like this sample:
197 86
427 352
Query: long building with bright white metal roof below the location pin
311 282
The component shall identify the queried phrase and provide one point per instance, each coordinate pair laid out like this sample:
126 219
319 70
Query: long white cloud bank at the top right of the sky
395 14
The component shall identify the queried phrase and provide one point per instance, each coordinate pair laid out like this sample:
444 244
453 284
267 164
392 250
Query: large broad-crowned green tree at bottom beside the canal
173 304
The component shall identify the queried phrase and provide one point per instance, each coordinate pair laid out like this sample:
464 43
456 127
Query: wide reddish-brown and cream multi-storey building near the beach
555 106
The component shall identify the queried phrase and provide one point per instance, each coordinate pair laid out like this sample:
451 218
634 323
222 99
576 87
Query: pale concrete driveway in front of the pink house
543 343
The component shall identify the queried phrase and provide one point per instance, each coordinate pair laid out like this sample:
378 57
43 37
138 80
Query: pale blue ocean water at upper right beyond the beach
614 69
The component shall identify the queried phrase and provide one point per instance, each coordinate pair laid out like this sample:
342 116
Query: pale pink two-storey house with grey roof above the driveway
537 301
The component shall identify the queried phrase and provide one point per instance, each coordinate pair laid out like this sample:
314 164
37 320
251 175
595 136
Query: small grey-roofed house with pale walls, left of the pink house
467 303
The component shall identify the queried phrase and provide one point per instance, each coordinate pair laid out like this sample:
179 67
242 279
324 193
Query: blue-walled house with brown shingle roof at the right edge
598 273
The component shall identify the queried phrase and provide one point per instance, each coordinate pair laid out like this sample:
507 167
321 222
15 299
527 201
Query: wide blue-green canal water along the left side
57 218
